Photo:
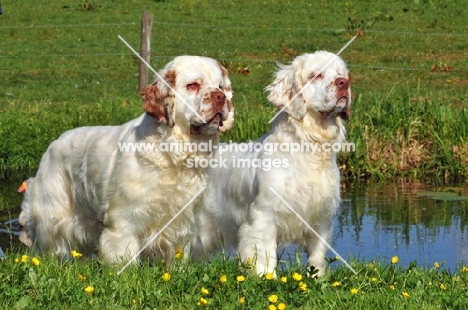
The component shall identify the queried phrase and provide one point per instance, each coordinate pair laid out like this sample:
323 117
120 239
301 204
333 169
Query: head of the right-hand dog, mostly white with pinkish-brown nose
317 82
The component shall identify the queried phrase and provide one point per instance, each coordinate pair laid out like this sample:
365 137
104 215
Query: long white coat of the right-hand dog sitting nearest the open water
240 210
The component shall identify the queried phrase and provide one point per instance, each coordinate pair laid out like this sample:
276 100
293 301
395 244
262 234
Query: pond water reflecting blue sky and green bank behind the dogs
418 221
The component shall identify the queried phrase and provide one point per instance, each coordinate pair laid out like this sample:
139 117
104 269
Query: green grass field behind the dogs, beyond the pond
63 66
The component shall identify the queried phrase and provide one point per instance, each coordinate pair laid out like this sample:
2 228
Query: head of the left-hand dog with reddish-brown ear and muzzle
193 92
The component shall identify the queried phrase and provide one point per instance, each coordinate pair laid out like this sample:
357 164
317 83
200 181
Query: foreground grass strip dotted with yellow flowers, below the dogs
379 284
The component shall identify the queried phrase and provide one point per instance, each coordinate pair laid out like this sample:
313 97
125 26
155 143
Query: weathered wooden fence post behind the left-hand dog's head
145 47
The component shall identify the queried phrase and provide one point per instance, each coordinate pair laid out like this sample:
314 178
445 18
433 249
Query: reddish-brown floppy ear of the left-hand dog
158 100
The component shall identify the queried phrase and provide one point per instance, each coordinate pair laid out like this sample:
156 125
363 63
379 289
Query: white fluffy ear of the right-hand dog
284 88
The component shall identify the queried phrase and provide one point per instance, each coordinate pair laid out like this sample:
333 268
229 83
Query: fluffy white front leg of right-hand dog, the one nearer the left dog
257 241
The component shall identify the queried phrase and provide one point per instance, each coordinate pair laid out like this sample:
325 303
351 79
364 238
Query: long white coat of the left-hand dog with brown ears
91 197
